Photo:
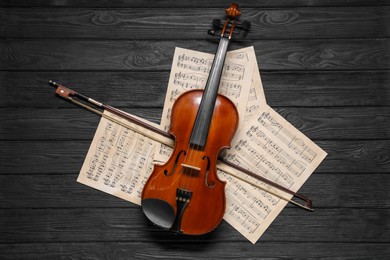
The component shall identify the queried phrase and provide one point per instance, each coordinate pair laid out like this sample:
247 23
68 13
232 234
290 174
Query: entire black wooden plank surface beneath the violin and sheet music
325 66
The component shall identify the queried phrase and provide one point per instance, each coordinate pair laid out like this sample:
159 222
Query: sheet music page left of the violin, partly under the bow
120 160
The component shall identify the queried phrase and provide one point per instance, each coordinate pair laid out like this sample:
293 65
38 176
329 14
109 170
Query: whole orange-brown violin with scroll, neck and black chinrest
185 195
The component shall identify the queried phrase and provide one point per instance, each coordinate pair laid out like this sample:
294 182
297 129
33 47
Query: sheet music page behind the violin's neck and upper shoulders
190 70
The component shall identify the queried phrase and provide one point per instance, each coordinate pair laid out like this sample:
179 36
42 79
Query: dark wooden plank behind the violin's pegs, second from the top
190 23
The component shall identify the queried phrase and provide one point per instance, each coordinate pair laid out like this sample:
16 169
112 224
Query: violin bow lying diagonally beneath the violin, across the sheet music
228 167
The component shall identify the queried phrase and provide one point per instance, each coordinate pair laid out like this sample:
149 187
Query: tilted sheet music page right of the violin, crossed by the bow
273 148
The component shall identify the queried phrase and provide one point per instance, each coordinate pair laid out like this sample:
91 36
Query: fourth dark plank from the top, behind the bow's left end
144 89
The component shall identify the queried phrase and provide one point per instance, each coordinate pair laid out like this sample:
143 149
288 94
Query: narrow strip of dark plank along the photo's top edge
198 3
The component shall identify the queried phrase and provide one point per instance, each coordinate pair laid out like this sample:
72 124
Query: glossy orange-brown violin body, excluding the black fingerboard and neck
185 194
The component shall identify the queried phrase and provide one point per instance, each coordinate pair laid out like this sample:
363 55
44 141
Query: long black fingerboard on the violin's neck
205 112
